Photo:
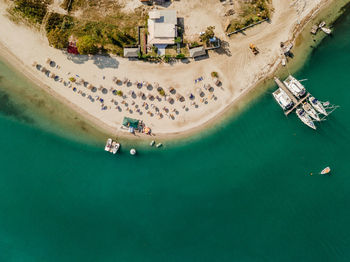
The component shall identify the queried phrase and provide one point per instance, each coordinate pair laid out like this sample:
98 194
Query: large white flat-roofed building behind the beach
162 29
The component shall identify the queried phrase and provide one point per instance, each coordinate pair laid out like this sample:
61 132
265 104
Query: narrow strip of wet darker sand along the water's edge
233 107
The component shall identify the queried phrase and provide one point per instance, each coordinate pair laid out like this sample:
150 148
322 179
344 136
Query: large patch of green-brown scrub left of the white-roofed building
108 32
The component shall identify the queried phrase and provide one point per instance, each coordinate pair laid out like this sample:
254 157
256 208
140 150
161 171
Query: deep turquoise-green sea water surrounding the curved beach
242 193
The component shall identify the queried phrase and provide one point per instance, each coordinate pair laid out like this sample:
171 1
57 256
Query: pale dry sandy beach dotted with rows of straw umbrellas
98 78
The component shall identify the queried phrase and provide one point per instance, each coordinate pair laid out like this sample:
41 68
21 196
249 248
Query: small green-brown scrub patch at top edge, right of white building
250 12
